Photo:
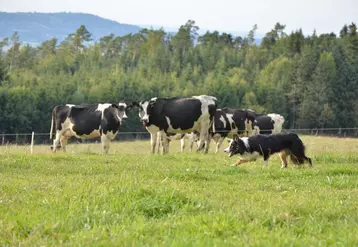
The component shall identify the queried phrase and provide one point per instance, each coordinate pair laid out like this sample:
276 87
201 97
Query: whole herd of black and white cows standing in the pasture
165 119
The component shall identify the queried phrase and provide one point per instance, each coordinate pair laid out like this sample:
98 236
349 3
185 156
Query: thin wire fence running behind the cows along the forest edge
44 138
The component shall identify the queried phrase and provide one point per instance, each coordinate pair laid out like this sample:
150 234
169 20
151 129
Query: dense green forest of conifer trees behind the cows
311 80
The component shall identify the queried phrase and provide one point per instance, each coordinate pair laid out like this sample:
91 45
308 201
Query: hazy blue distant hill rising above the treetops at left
35 27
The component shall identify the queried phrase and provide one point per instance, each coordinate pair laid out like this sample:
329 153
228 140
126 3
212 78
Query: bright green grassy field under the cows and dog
131 198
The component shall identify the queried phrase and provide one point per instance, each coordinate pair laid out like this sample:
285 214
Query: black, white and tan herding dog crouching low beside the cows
253 147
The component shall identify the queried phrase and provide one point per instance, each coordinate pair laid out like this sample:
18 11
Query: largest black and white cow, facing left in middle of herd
178 115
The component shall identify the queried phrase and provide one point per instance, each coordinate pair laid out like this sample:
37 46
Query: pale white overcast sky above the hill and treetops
224 15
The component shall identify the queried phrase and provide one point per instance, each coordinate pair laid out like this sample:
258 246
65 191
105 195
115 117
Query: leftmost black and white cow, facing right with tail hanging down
87 122
